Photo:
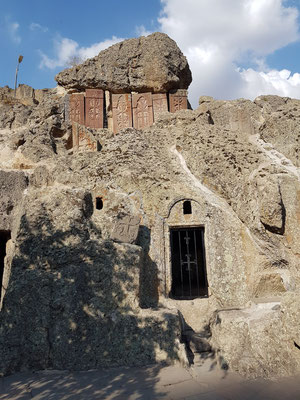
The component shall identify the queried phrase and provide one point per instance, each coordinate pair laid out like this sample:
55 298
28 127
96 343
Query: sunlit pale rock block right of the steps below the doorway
260 341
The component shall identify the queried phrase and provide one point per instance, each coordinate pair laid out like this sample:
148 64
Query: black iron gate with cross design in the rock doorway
188 263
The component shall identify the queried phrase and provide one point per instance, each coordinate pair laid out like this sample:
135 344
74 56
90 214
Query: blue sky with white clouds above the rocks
235 48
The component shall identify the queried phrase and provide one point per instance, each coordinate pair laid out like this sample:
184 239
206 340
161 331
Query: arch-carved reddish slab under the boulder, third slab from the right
142 110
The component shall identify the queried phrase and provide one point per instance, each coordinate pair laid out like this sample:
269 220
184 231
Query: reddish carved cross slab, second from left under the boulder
94 108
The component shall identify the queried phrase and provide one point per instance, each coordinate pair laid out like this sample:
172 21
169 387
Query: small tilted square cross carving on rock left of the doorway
126 229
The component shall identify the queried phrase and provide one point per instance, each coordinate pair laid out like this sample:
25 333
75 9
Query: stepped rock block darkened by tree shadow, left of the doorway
77 297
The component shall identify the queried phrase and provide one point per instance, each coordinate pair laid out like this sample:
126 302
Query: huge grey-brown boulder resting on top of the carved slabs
153 63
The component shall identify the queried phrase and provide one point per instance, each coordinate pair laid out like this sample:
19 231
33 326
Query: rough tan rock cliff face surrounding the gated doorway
72 298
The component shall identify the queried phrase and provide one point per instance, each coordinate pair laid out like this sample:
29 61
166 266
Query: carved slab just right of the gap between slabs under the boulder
122 113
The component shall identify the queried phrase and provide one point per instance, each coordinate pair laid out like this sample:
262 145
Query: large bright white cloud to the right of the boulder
217 35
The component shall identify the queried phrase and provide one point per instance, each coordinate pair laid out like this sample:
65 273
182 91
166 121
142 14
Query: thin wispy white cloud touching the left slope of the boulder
66 49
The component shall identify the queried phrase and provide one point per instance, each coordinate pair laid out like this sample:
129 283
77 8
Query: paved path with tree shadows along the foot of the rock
202 382
